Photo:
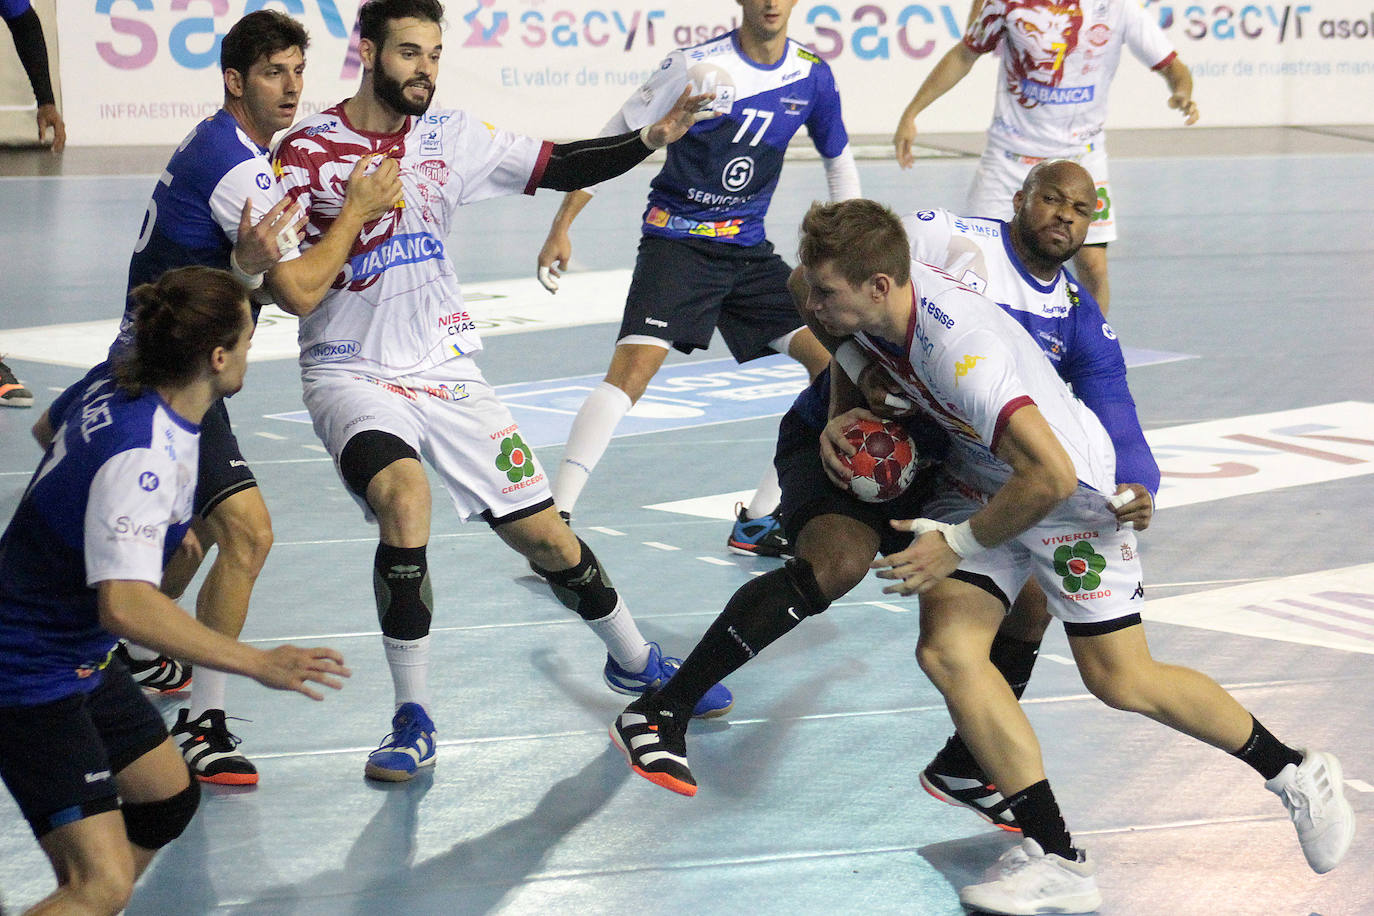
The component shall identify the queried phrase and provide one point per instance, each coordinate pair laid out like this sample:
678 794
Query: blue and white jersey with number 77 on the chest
721 178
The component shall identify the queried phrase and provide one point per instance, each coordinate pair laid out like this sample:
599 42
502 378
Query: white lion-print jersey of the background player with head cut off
1057 62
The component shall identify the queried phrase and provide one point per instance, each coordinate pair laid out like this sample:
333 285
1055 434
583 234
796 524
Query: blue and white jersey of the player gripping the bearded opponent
193 218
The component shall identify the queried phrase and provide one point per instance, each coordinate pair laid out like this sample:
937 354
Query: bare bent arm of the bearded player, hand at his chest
302 284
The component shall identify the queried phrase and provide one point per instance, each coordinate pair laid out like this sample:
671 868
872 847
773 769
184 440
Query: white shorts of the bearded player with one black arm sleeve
455 424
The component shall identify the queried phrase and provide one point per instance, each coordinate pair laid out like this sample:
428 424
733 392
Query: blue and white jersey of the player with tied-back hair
111 501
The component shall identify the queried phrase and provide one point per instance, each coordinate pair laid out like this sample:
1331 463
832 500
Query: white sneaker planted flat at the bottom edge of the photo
1026 881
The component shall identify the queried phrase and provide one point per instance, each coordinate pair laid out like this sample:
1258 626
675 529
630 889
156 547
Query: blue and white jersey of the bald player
1061 317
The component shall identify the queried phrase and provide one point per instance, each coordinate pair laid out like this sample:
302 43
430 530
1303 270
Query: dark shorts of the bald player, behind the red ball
807 492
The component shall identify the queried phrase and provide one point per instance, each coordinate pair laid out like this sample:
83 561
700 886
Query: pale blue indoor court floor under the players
1243 293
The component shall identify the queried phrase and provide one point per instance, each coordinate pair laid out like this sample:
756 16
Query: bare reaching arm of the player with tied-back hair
142 615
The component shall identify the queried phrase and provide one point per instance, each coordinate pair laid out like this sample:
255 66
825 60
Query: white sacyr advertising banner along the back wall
142 72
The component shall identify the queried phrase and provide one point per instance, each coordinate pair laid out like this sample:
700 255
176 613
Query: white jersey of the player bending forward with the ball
971 366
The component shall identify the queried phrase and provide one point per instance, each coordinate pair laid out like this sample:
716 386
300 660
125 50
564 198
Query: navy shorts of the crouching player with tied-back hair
60 759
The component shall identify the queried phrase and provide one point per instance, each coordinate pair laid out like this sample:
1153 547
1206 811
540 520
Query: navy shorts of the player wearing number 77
685 289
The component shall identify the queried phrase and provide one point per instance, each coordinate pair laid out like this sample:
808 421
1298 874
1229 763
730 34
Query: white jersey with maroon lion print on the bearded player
398 310
